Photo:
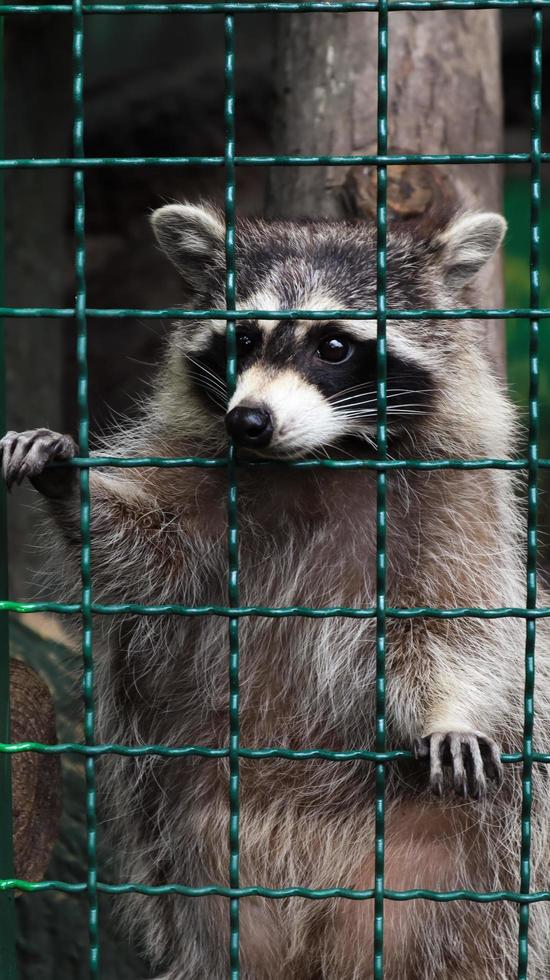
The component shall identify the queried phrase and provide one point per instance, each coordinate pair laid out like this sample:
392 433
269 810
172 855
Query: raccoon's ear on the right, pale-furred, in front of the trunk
467 244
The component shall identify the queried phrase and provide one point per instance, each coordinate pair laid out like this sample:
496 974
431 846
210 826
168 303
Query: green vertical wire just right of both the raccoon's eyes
381 477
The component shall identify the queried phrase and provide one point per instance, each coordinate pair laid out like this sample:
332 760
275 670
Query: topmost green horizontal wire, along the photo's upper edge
306 6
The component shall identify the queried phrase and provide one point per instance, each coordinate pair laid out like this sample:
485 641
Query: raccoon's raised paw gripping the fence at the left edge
28 453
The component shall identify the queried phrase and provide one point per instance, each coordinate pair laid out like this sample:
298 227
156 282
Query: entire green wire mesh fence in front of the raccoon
86 319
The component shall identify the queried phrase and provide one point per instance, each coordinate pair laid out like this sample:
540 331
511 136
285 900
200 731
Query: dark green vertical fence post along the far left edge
7 899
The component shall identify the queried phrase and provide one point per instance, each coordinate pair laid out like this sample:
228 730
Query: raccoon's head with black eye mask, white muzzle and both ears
303 385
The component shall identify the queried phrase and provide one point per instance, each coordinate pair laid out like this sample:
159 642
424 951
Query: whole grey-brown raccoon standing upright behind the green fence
307 537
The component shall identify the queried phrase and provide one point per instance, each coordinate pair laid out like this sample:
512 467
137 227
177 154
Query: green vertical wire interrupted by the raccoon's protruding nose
232 515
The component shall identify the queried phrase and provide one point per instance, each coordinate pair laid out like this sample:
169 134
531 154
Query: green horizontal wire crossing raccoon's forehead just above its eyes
473 313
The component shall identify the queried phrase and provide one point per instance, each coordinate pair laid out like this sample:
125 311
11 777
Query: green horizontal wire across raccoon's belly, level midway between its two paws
308 612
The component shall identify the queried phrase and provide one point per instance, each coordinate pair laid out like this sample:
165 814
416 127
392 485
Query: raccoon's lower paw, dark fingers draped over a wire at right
473 758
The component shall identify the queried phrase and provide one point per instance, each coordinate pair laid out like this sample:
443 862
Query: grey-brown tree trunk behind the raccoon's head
444 97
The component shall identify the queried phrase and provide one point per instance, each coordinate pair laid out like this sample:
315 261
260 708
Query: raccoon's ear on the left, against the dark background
192 236
